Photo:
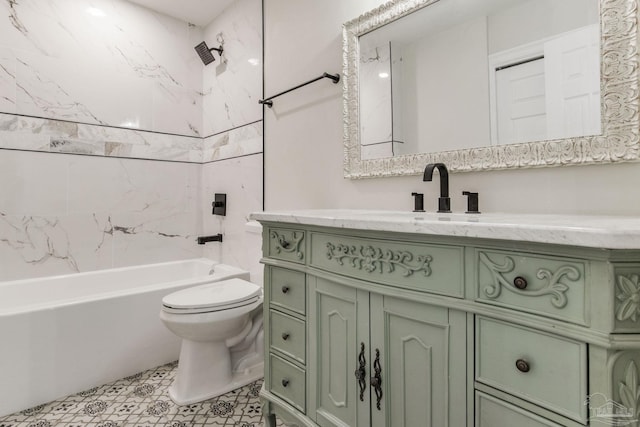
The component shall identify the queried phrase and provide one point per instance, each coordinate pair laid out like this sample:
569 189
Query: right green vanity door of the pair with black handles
423 360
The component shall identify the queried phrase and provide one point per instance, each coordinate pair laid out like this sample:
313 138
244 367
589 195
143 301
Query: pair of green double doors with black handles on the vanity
417 351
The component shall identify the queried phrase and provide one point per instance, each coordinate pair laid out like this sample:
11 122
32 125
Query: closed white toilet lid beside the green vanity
214 296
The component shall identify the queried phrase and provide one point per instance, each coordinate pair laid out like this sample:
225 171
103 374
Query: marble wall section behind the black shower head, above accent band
233 86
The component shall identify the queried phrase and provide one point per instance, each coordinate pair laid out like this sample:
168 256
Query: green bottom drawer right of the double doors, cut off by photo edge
493 412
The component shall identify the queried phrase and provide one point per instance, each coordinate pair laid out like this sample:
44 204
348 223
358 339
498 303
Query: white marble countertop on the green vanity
610 232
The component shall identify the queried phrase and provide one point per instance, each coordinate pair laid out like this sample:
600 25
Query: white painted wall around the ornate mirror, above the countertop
303 137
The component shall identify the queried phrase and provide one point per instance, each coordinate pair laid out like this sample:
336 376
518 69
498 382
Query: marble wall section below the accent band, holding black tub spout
241 180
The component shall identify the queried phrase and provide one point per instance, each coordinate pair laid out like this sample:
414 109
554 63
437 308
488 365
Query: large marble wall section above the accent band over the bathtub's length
106 62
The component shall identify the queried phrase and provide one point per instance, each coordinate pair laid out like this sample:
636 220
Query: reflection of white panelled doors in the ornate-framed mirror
554 92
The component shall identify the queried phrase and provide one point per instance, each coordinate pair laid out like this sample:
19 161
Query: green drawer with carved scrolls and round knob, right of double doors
549 286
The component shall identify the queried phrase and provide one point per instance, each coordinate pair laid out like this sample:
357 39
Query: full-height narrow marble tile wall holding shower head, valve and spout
232 123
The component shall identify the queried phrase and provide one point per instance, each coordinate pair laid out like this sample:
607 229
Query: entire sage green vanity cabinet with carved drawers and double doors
371 327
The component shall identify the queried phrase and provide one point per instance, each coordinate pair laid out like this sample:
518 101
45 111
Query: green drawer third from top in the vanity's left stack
287 335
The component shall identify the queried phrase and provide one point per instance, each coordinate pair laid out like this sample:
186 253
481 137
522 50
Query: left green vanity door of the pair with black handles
339 325
